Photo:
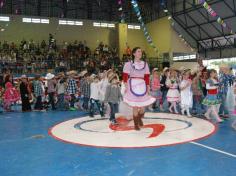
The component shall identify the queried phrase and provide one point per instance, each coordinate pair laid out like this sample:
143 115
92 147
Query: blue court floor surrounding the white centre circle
26 149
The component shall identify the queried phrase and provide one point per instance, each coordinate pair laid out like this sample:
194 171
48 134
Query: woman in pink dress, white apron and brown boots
136 78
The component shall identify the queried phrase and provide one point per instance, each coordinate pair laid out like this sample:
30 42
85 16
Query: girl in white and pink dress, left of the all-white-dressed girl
173 96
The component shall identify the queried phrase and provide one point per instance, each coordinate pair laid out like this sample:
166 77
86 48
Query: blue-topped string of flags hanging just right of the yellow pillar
144 28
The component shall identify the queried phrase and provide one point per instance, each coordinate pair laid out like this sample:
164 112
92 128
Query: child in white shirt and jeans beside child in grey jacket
94 97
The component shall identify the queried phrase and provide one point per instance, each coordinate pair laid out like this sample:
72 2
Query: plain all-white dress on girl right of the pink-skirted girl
186 95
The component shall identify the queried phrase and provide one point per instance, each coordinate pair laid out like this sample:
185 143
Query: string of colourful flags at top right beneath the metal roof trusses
215 15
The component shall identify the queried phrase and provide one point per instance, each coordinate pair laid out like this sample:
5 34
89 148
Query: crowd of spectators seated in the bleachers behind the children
40 57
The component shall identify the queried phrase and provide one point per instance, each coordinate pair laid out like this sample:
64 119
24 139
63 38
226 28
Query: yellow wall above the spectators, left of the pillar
17 30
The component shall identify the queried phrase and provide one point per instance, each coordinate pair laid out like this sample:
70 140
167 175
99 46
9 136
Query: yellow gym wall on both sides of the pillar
164 37
